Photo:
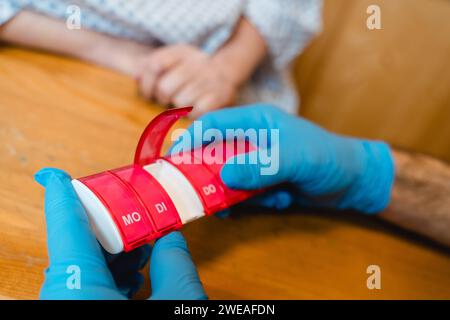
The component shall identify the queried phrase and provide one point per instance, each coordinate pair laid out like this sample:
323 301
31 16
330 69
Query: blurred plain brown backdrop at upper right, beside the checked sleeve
391 84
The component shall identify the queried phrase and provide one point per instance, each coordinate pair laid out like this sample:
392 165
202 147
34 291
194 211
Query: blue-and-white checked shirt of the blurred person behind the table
286 25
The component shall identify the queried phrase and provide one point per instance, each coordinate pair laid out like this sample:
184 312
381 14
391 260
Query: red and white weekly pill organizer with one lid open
135 204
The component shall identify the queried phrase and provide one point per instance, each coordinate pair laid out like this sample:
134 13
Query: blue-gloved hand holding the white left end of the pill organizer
74 251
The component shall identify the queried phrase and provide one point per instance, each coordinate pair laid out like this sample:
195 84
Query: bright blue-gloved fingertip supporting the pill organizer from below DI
172 272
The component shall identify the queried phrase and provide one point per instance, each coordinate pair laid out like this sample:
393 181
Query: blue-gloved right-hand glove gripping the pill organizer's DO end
322 168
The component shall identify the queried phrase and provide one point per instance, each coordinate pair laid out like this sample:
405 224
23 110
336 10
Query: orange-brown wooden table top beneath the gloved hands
67 114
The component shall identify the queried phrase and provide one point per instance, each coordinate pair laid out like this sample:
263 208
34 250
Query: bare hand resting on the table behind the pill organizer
184 75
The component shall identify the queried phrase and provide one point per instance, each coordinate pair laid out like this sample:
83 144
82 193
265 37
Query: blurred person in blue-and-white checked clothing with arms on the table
209 54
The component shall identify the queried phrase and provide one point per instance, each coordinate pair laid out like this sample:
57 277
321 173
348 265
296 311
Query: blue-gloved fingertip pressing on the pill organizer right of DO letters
242 172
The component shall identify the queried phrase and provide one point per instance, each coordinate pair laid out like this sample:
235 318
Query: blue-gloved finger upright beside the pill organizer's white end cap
69 234
